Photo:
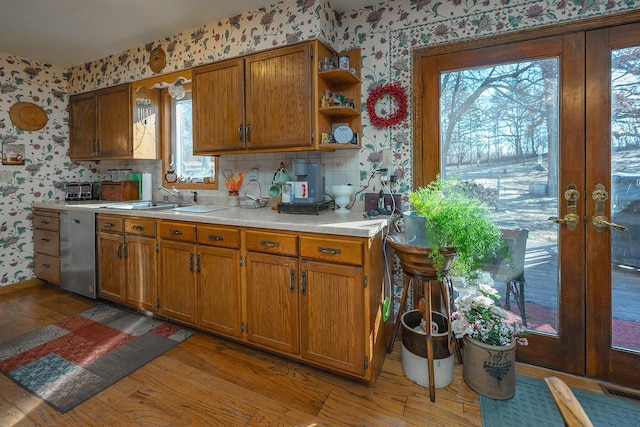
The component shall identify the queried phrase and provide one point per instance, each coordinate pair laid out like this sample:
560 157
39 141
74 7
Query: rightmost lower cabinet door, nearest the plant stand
332 315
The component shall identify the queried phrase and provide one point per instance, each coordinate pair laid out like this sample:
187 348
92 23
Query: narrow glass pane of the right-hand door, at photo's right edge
625 197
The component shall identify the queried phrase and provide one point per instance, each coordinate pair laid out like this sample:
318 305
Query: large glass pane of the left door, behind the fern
499 130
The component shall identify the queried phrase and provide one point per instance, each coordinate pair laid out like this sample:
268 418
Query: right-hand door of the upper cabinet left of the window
114 122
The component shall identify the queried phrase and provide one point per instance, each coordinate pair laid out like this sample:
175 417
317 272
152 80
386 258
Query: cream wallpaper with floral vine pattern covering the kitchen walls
387 34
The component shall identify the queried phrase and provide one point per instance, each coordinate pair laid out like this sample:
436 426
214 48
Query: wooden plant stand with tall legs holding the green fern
418 267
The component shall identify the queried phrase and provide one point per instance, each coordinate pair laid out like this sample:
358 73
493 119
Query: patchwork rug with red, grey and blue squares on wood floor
72 360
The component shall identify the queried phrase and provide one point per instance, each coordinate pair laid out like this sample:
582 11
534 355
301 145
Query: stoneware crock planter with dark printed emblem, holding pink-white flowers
490 370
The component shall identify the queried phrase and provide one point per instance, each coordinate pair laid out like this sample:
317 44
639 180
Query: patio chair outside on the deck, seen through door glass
508 266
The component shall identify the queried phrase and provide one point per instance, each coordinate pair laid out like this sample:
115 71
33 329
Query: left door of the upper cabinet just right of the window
218 107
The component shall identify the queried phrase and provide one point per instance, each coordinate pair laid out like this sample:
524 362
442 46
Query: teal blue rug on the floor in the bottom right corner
533 405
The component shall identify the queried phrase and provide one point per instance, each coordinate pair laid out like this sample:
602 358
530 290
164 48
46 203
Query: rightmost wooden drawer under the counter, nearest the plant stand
341 251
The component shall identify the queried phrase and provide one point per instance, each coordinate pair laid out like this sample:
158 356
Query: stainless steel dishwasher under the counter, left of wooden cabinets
78 252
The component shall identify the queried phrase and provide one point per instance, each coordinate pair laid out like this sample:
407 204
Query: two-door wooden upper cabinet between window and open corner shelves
260 102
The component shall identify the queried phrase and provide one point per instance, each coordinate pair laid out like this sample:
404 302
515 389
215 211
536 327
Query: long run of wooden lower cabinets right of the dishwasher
311 297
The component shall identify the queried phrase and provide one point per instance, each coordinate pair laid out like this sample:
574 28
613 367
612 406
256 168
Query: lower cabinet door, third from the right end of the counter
218 278
